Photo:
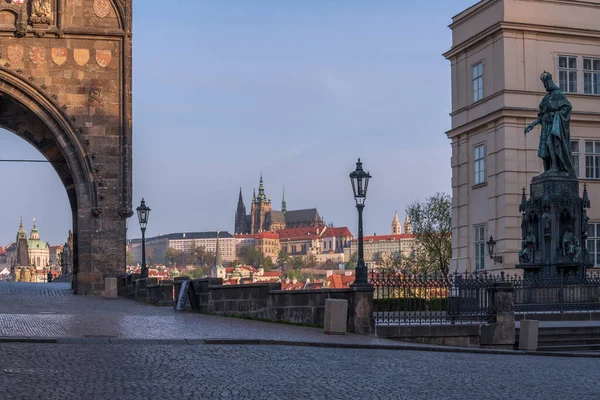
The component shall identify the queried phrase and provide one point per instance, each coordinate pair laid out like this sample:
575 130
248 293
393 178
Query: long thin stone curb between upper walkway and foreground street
266 342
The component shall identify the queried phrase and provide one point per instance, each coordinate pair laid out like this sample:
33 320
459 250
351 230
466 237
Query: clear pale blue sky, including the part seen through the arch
297 90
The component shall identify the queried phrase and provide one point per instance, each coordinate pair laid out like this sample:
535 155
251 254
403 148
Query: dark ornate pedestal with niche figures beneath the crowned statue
554 227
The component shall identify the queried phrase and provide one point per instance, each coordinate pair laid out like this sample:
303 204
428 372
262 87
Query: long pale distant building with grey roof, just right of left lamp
157 246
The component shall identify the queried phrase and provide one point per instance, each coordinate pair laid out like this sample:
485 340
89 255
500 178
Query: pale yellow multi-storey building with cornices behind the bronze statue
499 50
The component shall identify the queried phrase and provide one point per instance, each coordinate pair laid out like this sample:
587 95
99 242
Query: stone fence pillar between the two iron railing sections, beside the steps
500 331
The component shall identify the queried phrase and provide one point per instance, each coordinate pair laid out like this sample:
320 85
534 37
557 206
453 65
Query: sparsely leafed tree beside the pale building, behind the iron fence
431 223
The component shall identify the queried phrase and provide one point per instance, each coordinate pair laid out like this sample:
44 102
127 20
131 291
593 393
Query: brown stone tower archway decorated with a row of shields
65 87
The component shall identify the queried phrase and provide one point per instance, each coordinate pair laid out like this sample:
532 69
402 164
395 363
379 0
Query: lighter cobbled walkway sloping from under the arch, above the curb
51 311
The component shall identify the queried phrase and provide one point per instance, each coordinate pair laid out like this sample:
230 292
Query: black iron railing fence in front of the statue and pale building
411 299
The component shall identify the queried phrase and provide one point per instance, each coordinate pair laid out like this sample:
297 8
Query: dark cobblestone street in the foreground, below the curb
57 371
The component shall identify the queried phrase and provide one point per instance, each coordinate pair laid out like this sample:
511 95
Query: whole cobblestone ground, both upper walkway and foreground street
99 369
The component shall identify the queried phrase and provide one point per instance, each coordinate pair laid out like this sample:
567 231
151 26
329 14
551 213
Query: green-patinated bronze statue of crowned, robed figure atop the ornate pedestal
555 118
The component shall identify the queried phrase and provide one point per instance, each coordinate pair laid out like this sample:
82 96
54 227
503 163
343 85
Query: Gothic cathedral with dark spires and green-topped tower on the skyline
263 218
